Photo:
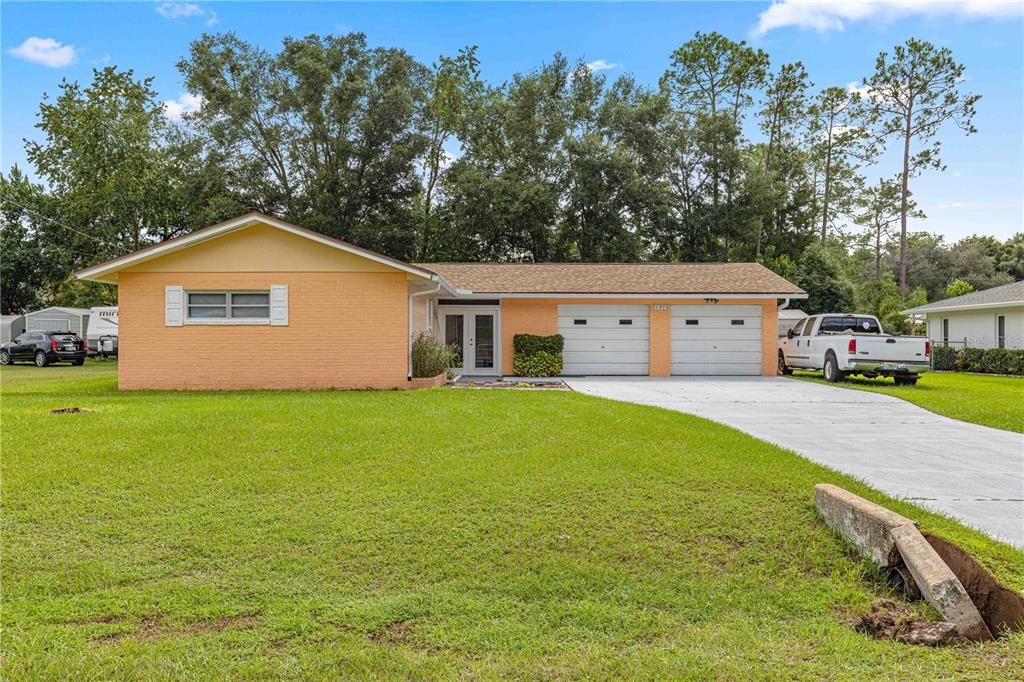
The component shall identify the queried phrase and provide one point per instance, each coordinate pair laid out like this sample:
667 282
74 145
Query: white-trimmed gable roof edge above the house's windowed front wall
104 272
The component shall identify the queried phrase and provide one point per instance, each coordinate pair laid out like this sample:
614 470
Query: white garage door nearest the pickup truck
716 339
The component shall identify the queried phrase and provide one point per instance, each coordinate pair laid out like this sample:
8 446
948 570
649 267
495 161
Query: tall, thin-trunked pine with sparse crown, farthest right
911 96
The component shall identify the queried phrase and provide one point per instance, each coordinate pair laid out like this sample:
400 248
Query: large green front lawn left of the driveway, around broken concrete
481 534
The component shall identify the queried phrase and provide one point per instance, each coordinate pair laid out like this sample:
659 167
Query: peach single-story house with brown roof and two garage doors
255 303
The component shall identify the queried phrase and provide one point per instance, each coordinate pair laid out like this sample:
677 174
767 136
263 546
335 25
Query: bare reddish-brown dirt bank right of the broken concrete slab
1001 608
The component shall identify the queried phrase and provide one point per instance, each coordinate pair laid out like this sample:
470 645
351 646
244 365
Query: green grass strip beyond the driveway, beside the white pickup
996 402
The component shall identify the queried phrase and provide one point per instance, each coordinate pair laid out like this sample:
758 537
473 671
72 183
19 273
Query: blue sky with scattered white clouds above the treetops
980 193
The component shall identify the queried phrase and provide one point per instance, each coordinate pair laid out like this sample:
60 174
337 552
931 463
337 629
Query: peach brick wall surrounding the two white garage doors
540 316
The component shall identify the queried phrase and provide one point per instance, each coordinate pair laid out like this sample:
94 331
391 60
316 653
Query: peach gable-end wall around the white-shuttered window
348 324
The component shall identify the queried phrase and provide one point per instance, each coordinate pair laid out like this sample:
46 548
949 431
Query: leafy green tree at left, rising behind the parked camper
104 160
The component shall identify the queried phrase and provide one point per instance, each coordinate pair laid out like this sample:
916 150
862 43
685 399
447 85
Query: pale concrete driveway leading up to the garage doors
971 473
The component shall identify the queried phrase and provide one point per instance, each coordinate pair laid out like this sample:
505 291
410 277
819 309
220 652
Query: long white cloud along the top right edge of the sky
825 16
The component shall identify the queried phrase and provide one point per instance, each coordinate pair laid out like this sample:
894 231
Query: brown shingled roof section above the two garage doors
701 279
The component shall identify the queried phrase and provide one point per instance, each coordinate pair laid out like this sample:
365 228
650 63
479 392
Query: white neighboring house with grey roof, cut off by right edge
990 319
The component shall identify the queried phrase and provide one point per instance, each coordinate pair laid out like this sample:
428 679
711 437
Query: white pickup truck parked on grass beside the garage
845 345
